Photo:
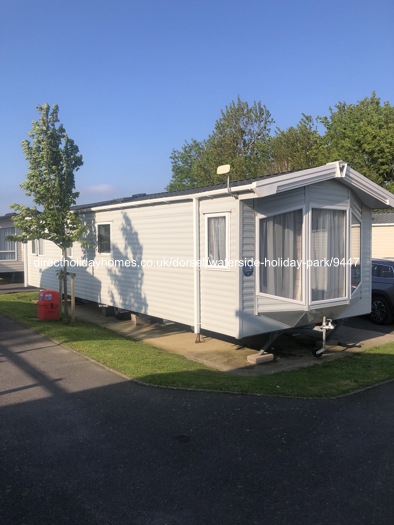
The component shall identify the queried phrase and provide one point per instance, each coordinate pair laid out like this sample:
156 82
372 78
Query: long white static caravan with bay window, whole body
260 256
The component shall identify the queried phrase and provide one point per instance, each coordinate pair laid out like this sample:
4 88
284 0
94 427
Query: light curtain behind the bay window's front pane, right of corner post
328 251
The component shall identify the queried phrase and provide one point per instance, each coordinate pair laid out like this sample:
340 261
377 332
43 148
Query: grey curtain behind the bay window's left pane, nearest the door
280 251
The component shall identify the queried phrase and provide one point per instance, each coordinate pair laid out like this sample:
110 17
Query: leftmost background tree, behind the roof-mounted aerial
240 138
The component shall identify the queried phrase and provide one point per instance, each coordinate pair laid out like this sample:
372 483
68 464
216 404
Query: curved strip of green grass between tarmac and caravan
154 366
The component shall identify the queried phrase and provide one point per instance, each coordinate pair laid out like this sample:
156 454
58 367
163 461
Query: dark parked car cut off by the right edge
382 308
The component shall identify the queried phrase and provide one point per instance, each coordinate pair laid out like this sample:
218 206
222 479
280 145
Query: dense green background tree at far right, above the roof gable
362 134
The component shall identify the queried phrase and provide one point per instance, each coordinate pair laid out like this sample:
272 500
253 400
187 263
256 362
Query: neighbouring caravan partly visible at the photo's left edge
11 253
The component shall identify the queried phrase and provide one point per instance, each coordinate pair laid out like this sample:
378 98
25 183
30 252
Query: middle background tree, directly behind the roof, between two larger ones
297 147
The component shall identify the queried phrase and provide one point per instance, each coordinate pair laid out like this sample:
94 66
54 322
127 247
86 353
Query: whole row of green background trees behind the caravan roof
361 134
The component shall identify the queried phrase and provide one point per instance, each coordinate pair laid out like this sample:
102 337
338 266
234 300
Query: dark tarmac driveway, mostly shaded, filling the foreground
81 445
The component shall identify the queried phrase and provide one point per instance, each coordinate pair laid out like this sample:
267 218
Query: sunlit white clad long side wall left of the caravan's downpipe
143 272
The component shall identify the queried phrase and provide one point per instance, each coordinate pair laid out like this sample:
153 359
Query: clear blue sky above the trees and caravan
136 79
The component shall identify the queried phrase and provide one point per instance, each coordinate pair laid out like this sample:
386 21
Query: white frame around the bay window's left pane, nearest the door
282 211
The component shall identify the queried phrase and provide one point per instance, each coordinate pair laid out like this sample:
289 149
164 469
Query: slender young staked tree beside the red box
53 158
